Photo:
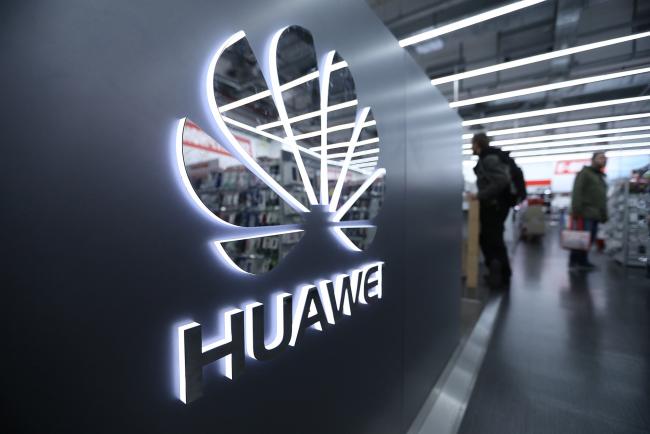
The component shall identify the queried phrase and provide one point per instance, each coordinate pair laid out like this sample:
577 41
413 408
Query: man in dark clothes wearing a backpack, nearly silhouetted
500 185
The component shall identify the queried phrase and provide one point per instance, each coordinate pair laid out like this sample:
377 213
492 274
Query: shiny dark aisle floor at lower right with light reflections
569 354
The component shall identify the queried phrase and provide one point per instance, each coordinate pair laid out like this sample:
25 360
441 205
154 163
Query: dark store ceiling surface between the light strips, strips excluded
546 27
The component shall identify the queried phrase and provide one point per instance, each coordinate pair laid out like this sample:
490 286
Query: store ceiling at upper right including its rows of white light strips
548 78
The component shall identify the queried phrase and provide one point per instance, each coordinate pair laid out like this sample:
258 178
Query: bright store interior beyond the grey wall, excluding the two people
550 83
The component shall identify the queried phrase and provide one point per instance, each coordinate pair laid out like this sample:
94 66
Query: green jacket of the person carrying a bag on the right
589 196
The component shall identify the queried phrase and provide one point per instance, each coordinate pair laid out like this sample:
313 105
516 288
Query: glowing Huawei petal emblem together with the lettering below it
294 152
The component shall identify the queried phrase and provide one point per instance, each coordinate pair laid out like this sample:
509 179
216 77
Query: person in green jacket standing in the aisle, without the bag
588 205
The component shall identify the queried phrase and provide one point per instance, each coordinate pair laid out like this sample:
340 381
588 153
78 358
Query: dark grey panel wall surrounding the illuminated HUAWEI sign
106 254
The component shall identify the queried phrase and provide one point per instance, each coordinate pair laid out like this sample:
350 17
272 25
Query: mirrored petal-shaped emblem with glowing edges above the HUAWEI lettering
314 151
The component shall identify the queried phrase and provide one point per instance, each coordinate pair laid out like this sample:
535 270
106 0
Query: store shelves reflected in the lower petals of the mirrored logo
238 197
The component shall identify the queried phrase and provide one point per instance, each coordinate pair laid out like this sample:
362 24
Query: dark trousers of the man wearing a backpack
493 219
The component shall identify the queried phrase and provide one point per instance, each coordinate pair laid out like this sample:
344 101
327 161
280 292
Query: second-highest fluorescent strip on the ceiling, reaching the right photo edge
537 58
